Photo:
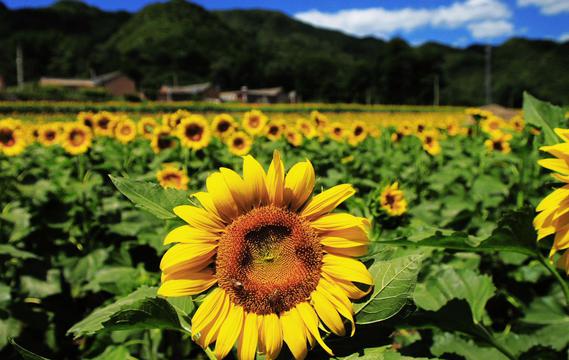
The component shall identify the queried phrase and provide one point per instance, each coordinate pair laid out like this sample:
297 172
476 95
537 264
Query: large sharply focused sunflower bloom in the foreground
280 263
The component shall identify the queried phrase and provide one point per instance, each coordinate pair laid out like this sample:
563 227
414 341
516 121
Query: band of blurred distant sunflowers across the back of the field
195 131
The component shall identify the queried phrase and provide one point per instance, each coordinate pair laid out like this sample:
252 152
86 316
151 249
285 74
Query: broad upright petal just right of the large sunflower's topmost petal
299 184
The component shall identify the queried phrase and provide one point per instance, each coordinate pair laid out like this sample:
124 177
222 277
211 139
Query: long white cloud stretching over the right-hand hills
381 22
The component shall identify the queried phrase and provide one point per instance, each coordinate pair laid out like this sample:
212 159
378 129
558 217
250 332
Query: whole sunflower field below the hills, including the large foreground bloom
255 234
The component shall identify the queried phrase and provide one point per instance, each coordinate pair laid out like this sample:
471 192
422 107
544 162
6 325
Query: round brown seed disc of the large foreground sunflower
269 260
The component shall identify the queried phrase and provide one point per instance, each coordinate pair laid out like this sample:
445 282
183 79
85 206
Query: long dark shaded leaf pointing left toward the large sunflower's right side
514 233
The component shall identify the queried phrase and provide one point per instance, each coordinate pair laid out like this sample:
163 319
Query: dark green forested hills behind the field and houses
182 42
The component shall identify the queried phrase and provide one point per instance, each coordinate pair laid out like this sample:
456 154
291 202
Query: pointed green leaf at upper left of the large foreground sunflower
151 197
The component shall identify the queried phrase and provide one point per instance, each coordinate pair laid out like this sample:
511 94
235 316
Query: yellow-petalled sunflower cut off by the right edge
553 217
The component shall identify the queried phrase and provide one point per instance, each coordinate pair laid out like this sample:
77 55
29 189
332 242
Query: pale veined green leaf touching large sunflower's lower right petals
394 282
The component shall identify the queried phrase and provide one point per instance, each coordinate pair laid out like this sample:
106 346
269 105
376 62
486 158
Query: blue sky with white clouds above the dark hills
453 22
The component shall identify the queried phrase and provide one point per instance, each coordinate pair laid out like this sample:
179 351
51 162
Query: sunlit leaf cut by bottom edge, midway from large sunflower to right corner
447 343
